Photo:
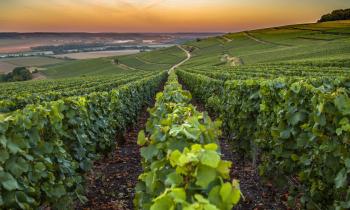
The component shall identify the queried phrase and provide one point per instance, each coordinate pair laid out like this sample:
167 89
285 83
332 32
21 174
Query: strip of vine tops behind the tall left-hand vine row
18 95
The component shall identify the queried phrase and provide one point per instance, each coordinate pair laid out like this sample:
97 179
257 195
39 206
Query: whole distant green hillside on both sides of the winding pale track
325 43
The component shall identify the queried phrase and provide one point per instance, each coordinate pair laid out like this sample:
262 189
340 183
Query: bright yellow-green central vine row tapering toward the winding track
181 159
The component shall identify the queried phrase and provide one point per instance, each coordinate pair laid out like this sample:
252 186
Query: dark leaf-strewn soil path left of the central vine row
111 183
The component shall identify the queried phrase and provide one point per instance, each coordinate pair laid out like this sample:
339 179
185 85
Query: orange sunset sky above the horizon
158 15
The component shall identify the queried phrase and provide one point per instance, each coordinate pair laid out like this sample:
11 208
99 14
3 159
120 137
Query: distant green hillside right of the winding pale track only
321 42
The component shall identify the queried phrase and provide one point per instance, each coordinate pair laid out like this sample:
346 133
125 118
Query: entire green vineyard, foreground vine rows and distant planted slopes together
280 139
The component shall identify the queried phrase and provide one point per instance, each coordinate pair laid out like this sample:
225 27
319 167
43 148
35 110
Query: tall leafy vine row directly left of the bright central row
46 148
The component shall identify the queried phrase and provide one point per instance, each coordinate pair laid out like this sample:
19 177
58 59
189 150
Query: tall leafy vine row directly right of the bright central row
297 127
